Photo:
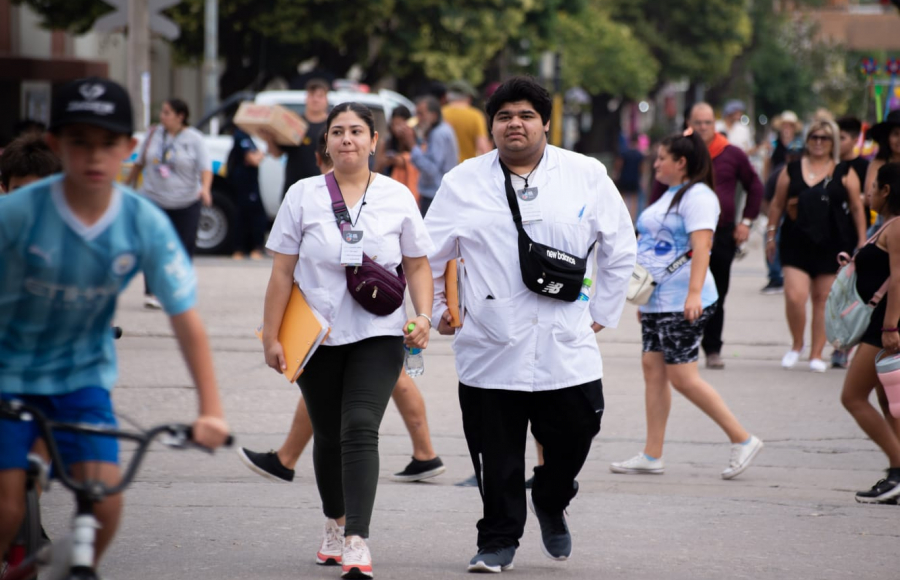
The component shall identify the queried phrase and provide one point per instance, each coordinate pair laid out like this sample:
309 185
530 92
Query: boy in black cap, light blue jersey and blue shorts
69 245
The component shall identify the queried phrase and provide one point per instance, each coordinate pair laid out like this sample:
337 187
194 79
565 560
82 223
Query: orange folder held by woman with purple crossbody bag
303 329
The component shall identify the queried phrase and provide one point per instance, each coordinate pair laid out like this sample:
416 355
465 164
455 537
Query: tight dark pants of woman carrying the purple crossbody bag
347 389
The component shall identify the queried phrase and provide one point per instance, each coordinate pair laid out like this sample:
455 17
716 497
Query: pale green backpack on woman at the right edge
846 315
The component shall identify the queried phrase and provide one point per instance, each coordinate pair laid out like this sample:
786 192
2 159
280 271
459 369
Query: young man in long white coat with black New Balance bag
522 357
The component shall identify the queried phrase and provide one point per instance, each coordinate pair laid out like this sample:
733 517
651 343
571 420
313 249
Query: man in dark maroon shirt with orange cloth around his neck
730 166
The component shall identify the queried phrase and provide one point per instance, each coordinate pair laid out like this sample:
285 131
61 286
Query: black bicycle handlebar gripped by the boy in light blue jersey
179 435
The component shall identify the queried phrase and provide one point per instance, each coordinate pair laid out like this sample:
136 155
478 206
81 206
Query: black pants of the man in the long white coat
495 422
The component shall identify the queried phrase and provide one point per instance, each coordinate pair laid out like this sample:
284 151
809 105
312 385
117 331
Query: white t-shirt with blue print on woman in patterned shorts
664 236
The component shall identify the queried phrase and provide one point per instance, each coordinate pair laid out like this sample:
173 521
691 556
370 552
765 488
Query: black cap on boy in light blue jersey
92 101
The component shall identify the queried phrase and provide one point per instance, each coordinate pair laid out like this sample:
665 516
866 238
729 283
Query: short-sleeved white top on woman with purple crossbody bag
305 227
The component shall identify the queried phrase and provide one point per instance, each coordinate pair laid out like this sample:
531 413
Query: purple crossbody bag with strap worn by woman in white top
376 288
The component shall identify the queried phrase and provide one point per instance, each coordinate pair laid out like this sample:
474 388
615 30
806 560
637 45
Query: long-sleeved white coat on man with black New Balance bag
517 340
